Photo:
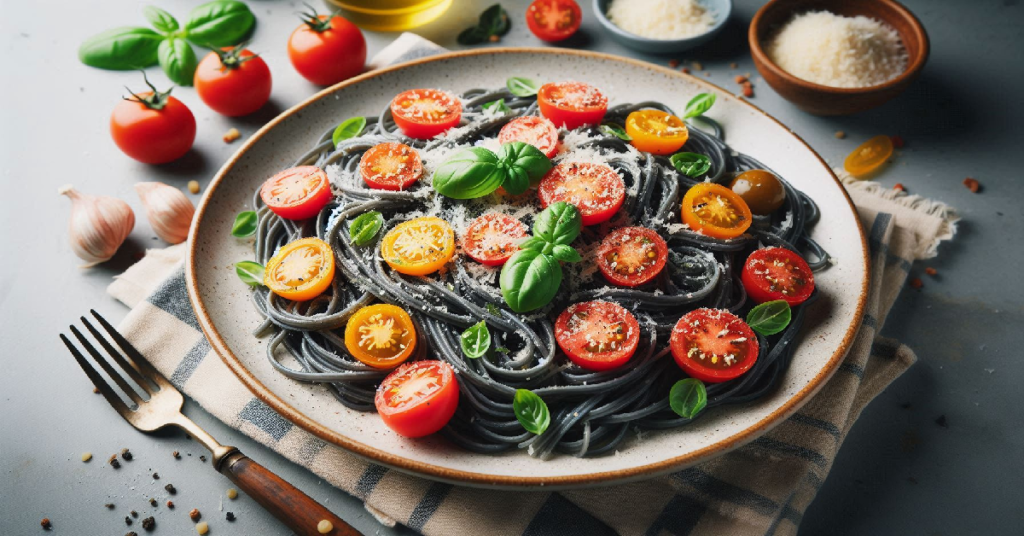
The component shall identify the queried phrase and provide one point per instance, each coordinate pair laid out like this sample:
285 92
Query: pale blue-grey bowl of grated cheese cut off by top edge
663 26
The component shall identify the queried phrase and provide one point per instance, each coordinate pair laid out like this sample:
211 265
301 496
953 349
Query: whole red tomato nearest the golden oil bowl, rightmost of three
327 50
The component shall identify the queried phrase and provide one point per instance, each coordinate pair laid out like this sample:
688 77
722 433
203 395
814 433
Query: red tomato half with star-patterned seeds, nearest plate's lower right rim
714 346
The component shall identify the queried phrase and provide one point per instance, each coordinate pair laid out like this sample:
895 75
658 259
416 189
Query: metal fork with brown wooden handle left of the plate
158 404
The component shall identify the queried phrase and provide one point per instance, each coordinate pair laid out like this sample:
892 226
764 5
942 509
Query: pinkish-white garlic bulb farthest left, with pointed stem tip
99 225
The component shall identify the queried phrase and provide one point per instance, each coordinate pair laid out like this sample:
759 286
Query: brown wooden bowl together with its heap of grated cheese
834 58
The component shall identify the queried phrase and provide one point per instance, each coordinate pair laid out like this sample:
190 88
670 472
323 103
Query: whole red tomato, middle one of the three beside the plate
236 86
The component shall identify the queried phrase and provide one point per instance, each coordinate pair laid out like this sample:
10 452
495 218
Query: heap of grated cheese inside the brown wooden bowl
838 52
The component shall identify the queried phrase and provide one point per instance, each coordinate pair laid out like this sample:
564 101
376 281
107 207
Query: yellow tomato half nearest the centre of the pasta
419 246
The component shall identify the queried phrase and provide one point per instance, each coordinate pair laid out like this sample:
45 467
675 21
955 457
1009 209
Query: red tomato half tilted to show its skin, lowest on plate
418 399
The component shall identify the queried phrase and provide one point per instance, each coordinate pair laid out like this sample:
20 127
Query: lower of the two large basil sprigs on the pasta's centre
531 279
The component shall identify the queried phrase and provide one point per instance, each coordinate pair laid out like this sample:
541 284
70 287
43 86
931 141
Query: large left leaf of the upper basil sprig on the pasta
471 174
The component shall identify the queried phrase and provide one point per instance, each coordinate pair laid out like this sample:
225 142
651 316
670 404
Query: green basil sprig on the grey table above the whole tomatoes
221 23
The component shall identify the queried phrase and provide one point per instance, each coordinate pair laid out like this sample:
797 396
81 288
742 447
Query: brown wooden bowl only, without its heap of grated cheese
828 101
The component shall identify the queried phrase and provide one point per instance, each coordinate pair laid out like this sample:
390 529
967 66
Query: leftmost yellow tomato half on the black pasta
302 271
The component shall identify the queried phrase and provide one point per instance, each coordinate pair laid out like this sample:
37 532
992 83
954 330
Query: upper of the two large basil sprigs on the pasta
478 172
